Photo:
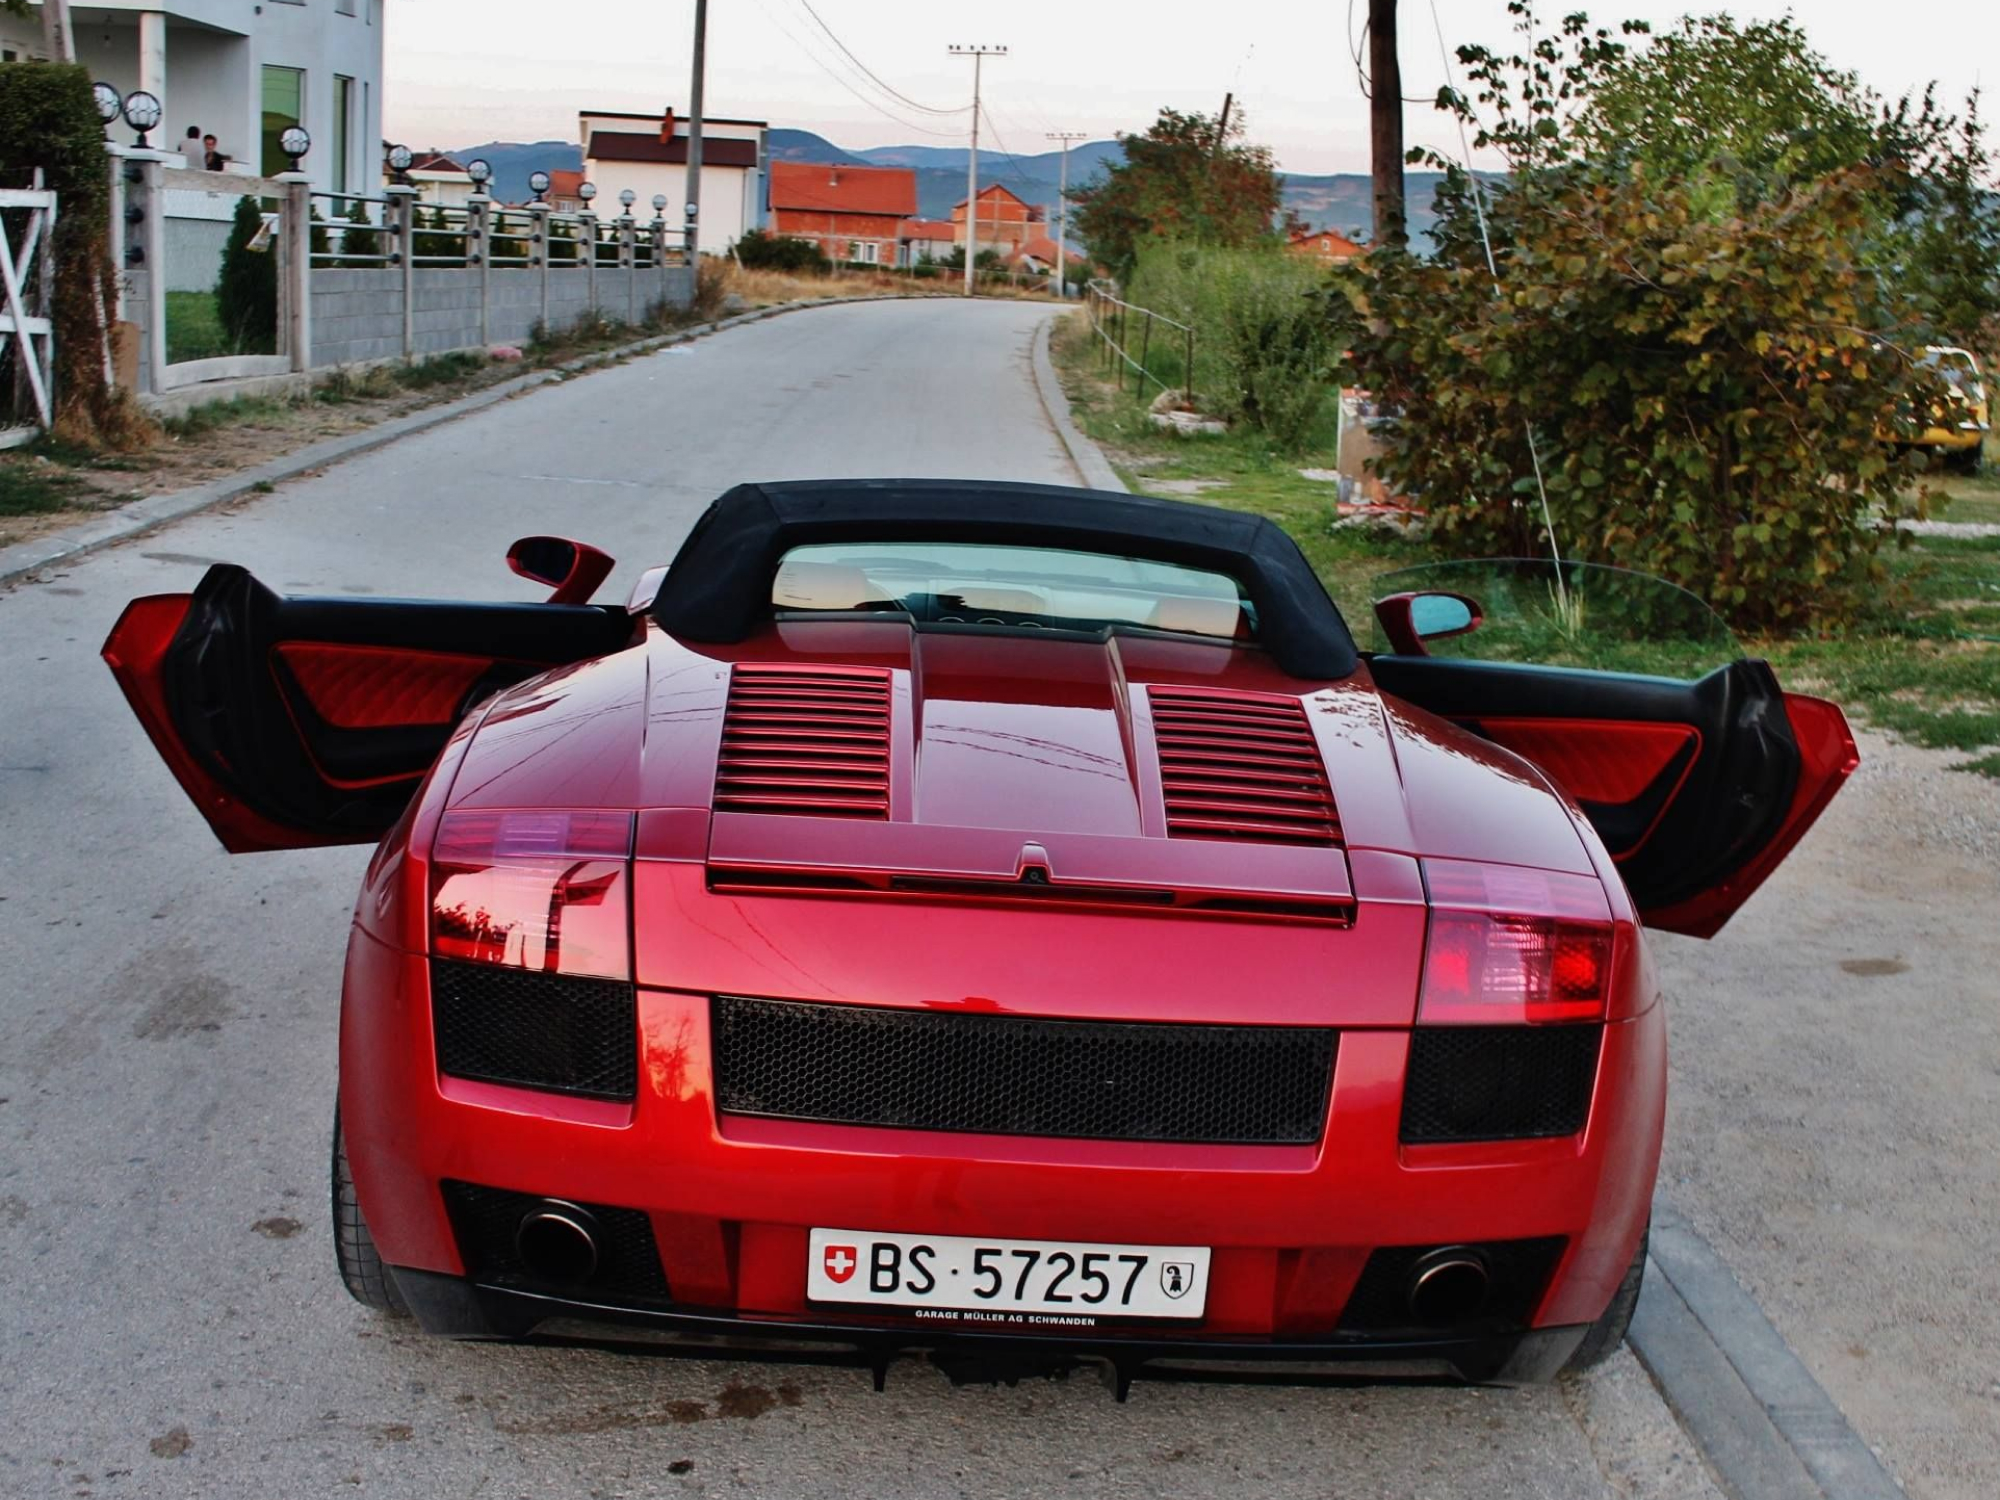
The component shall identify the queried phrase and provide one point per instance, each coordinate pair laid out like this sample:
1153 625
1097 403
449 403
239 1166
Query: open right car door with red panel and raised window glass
1695 767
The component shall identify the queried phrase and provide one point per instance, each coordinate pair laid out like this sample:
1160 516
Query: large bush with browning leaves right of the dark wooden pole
1703 391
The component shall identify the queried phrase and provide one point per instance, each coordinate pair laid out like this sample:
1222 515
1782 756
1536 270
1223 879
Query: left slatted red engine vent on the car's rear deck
805 741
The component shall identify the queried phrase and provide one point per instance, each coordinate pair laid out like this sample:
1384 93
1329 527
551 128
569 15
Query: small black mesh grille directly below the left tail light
537 1031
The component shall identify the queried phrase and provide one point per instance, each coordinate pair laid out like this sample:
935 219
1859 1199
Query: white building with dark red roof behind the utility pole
651 157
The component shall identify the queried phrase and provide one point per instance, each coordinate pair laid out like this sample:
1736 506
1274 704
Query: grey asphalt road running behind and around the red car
171 1319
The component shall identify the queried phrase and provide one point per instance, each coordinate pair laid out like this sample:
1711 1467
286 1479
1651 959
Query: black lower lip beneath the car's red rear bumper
455 1307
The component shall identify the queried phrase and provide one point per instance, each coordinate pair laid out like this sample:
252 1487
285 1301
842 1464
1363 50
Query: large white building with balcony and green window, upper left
241 71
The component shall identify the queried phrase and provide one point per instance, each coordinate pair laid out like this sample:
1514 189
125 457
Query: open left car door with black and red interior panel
297 721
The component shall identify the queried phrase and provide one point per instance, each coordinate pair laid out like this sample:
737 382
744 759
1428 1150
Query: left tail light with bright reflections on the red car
545 891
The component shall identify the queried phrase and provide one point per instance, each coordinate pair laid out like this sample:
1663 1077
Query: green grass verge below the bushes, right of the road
1925 663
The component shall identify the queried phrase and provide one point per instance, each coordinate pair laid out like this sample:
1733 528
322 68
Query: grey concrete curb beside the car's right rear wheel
1763 1423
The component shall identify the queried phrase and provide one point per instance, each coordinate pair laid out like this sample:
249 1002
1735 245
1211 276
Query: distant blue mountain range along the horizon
1339 201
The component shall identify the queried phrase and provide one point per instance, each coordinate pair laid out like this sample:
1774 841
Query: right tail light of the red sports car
1515 947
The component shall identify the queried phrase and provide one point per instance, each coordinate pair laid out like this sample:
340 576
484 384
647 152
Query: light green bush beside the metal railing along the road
1263 349
